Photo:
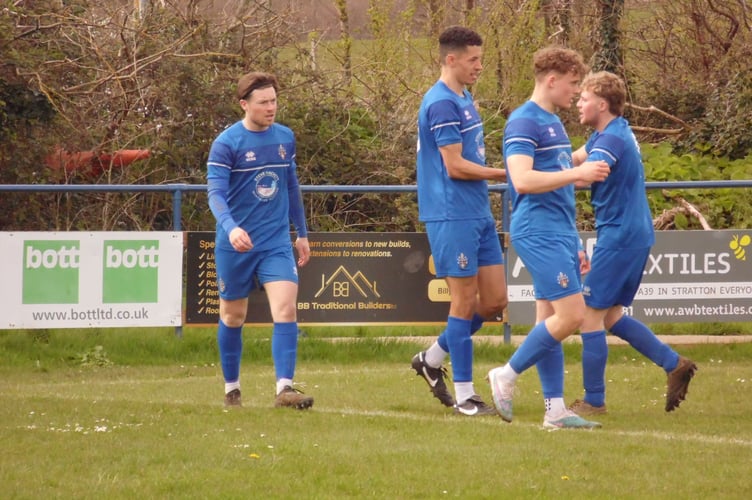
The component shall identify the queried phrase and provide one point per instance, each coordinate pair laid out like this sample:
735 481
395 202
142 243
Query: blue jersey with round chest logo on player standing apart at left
256 169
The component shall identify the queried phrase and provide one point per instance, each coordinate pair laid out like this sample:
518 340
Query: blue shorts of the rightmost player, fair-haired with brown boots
614 276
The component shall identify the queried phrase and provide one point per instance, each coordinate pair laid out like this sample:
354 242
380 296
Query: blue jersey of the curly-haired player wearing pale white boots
533 131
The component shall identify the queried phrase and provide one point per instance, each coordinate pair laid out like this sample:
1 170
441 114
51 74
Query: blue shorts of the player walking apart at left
238 272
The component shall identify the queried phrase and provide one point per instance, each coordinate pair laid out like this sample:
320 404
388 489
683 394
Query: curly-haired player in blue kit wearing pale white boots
542 178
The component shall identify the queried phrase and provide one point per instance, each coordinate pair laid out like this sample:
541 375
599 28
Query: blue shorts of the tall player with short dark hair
459 247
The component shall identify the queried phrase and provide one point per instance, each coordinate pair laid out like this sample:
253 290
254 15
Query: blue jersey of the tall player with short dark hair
447 118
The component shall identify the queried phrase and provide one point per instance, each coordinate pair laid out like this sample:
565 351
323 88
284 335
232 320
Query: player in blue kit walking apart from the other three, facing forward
254 194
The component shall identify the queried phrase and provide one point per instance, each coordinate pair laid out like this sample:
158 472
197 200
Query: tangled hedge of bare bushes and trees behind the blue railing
100 76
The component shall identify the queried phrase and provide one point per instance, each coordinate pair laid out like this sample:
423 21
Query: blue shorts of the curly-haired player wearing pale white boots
553 263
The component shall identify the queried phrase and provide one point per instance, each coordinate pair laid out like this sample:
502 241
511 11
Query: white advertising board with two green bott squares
90 279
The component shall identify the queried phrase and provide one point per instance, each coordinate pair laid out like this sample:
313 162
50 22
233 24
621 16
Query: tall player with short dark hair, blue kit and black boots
453 202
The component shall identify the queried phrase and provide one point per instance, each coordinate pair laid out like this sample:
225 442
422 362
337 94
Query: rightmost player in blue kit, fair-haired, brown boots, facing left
625 235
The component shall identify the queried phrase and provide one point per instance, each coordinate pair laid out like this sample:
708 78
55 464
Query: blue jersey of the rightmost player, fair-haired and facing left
622 214
